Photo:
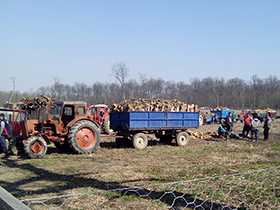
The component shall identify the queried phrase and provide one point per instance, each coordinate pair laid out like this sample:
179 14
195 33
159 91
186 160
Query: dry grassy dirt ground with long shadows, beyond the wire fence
110 167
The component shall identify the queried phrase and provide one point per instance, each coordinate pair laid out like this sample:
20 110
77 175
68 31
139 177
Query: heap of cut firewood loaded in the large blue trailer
143 104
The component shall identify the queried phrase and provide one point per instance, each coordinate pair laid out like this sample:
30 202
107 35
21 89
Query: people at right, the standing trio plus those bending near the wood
252 124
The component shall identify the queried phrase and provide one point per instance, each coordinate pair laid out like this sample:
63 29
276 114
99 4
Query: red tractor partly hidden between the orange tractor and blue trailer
100 115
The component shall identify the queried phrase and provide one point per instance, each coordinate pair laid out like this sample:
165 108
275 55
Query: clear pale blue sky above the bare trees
176 40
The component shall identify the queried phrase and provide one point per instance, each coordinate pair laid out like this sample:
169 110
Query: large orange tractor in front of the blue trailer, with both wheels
66 125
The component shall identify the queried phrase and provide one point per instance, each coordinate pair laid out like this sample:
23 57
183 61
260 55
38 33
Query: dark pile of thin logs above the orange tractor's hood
36 102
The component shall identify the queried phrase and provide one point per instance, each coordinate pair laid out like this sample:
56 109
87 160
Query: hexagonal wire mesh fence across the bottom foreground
253 190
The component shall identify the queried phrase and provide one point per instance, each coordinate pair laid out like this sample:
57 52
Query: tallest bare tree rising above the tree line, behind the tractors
120 73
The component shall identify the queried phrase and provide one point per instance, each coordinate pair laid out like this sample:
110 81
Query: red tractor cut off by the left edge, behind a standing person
14 117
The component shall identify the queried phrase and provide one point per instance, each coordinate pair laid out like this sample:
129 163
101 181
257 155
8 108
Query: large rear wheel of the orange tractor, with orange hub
84 137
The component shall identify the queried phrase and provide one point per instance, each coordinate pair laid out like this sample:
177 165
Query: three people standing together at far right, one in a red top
252 123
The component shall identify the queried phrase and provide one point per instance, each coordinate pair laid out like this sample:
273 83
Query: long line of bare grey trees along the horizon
206 92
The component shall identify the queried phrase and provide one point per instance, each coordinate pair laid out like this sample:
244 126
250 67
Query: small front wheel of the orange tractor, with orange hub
35 147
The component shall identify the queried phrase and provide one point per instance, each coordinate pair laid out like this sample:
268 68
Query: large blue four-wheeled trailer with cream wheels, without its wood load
133 126
